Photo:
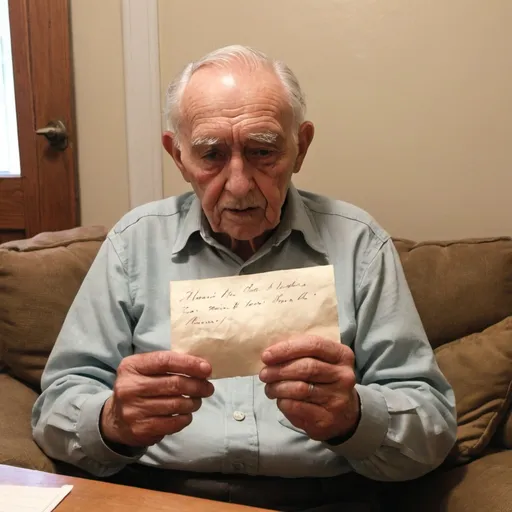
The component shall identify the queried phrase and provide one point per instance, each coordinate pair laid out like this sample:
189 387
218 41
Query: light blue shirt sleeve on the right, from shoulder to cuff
408 419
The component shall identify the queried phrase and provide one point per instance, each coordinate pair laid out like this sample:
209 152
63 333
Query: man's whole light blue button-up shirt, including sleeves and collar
407 422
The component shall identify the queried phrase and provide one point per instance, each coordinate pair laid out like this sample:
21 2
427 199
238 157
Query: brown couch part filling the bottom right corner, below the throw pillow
483 484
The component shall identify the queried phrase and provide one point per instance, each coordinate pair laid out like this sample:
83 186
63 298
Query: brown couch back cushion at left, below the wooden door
39 279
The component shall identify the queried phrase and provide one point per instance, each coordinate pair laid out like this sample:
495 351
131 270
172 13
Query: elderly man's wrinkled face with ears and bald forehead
238 149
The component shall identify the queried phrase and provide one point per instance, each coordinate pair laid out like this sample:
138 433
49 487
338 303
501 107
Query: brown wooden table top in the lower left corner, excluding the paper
89 495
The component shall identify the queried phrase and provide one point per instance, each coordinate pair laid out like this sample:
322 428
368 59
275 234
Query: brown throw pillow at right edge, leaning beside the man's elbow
479 368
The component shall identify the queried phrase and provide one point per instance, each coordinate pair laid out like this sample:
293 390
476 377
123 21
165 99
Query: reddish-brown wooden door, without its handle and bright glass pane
44 197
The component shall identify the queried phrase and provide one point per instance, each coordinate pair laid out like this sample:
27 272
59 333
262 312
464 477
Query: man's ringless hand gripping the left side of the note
154 395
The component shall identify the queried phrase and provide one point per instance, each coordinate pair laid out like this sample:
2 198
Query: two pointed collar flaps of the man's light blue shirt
296 217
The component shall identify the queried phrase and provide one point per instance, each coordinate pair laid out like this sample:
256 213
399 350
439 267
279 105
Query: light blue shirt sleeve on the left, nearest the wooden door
80 374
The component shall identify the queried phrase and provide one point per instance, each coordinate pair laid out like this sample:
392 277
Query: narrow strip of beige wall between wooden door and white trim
100 110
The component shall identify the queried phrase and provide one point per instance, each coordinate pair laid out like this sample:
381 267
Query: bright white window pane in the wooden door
9 151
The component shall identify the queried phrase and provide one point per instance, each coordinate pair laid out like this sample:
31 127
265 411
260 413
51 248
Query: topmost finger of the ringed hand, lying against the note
305 369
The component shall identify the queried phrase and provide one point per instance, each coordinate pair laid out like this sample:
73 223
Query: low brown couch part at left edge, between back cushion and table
17 447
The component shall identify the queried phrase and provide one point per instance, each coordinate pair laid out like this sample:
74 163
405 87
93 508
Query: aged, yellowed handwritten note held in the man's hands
229 321
